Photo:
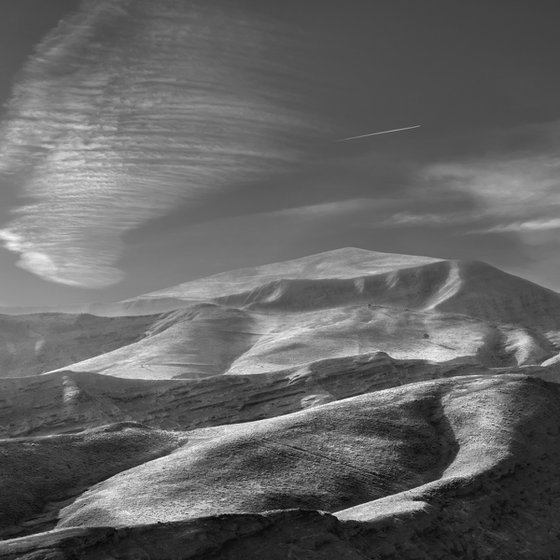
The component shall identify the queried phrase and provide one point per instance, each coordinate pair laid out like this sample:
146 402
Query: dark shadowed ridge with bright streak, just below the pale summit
474 288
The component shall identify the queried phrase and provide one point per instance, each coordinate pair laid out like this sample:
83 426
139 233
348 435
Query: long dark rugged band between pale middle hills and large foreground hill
63 402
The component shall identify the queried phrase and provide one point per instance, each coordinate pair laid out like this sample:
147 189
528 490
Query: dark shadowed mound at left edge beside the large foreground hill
38 473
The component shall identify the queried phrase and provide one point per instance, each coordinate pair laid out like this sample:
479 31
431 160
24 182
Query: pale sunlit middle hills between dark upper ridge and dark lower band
204 342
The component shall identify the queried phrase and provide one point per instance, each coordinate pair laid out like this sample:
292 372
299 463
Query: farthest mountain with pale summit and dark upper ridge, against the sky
345 275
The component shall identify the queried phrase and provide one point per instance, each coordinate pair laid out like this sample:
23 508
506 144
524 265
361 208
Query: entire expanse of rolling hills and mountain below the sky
347 405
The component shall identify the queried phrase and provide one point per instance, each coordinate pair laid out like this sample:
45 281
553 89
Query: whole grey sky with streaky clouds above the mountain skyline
144 144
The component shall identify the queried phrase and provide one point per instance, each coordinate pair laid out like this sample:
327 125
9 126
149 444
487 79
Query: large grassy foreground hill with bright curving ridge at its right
463 455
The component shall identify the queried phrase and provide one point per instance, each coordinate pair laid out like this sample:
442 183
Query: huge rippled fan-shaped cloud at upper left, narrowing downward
129 109
